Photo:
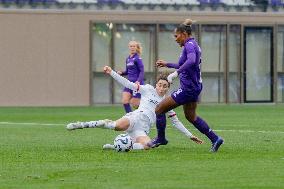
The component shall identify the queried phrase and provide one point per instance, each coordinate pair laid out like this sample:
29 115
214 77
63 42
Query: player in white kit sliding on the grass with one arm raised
137 123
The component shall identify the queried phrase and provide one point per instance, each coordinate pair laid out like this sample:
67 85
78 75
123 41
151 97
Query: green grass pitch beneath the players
48 156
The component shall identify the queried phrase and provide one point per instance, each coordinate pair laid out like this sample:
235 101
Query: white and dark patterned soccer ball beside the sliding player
123 143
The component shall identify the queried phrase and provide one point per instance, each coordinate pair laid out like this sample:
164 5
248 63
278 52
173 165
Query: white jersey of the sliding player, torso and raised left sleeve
149 96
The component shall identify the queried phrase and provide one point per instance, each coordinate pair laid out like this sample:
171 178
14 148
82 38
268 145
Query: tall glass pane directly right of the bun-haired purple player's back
213 45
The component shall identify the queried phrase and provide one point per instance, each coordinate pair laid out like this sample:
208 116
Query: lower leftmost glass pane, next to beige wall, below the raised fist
101 89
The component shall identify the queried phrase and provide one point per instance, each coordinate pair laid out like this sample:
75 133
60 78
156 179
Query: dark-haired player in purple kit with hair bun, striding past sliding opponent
188 71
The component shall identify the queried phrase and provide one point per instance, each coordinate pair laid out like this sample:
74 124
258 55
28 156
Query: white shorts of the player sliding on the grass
139 124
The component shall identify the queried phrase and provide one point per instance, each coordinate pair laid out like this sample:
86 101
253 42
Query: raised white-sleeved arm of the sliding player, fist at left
123 81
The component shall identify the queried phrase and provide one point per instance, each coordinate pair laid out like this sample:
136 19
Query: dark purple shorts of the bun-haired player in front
181 96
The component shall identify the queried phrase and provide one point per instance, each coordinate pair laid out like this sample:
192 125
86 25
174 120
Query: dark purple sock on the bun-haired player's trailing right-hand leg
202 126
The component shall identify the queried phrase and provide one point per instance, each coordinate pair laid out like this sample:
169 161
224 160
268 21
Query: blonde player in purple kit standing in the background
135 73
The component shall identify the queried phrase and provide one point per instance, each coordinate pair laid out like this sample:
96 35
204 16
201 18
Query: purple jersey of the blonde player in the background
134 69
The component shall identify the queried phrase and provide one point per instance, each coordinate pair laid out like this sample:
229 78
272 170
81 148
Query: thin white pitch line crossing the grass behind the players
168 127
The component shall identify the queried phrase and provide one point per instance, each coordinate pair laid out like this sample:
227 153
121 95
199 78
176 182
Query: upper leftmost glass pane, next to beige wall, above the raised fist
101 45
